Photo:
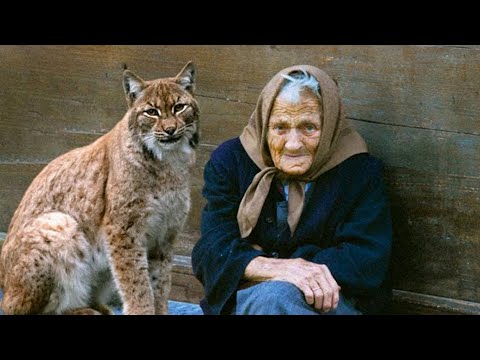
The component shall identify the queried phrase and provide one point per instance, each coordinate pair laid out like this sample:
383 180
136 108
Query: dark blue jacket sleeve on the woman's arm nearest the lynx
220 256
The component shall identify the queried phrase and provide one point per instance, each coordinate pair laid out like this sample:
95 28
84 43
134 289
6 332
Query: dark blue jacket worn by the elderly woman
345 224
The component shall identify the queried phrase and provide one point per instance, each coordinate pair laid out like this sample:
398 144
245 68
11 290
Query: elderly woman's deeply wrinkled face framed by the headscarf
294 133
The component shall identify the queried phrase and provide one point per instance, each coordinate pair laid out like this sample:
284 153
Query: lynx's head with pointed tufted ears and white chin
163 112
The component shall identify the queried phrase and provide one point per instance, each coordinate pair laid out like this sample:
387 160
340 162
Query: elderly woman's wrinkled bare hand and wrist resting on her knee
314 280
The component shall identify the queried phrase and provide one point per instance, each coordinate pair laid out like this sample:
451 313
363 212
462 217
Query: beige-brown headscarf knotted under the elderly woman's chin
338 141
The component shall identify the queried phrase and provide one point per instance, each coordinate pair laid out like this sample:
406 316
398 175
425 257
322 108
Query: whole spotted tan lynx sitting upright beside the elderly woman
102 219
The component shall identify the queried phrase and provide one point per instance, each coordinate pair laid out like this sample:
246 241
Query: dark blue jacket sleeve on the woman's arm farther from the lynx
361 257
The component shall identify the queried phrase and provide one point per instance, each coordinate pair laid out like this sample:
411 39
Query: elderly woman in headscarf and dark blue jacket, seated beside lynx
297 220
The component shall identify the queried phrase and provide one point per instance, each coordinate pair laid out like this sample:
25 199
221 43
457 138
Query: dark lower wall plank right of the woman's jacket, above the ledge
436 247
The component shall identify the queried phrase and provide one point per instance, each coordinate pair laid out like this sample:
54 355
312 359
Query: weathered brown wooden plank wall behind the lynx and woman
418 107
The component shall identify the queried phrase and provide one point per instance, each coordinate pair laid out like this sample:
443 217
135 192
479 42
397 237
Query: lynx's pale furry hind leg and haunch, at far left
48 271
